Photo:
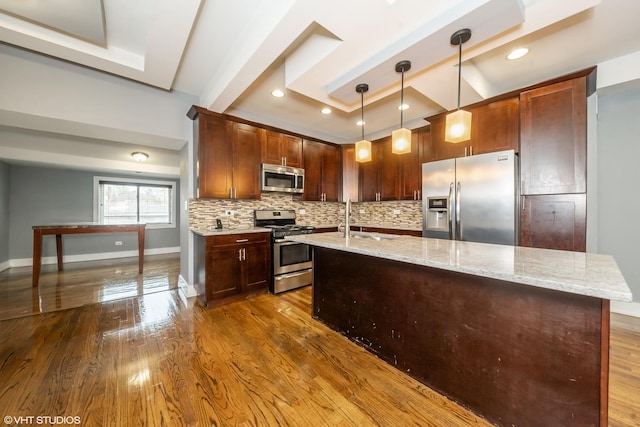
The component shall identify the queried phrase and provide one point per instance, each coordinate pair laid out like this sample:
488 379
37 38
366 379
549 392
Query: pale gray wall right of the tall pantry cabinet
618 179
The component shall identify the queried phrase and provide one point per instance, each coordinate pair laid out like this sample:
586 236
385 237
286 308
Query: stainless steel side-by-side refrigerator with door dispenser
472 198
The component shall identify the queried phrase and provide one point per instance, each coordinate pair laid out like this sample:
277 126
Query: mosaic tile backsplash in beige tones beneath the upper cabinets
399 214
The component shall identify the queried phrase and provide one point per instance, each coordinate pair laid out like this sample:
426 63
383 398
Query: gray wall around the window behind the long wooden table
47 195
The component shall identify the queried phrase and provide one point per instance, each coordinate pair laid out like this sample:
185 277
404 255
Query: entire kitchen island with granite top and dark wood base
517 335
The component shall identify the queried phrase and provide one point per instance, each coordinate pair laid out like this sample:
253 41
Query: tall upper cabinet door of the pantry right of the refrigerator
553 138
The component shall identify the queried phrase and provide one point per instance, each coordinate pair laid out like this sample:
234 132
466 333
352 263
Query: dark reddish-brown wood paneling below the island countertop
518 355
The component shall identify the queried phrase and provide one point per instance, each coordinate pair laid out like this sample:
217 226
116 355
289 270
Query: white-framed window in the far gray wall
127 201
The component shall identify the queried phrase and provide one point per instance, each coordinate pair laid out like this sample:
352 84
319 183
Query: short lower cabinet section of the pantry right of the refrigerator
554 222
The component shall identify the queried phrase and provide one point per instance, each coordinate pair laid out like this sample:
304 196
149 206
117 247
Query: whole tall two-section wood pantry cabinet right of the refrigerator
553 156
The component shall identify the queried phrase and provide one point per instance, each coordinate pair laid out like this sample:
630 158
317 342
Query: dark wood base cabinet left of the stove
231 264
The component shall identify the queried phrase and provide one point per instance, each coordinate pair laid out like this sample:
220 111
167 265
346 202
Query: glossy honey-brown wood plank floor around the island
152 359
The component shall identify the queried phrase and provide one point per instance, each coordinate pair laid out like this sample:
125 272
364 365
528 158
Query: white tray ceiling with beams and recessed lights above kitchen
231 54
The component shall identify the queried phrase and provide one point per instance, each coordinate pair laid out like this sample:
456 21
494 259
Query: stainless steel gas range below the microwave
292 261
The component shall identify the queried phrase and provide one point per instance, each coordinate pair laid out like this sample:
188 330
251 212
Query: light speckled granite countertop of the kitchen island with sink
574 272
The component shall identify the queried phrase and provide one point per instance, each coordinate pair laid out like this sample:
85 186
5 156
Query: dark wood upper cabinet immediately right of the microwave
323 171
